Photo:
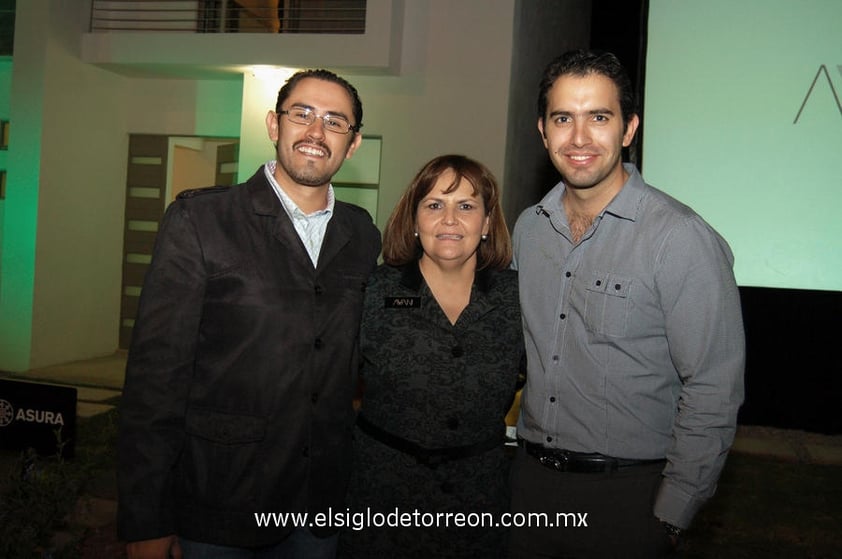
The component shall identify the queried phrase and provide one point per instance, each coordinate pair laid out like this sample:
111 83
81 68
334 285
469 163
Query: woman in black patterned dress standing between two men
441 342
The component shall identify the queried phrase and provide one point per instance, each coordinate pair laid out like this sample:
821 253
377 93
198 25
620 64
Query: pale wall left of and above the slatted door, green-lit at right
88 114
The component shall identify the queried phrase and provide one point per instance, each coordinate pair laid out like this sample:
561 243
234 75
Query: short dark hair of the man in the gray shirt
582 63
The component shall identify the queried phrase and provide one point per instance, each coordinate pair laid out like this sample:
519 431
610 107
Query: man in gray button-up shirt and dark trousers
634 337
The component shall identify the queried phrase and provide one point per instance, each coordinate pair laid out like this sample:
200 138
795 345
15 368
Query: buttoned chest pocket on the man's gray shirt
607 304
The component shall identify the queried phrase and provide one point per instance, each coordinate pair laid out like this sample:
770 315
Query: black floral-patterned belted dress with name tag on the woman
436 385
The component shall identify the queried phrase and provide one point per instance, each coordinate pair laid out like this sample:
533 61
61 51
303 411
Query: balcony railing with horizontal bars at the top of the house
229 16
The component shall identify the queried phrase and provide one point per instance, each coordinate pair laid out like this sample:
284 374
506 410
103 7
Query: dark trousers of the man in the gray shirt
592 514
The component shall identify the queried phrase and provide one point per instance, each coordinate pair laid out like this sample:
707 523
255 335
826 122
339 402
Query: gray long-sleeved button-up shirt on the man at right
634 337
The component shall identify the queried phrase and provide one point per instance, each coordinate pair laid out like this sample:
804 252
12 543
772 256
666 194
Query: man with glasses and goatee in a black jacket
241 372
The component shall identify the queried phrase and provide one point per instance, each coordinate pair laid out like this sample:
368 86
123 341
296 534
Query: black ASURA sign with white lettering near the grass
38 416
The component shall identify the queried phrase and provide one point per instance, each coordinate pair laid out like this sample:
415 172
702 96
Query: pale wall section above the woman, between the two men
451 95
